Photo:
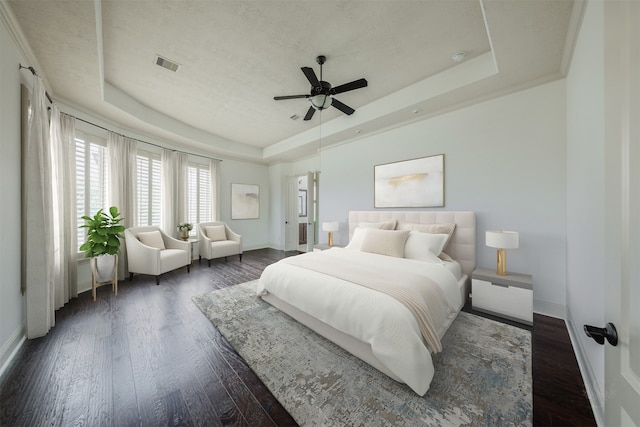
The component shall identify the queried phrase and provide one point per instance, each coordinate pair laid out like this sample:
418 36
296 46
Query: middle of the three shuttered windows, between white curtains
149 189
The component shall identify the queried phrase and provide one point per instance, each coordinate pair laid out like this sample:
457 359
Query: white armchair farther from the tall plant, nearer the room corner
217 240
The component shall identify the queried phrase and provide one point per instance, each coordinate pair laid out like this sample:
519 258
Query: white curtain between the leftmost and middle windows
122 186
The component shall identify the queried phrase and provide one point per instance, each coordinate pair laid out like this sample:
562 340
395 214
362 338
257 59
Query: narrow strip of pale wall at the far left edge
12 311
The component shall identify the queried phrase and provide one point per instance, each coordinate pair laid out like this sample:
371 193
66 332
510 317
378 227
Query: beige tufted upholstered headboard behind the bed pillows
462 246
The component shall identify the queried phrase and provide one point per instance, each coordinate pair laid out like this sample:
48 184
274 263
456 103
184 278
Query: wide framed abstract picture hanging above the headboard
416 183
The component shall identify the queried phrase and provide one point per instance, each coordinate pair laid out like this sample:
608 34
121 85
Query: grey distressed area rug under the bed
482 377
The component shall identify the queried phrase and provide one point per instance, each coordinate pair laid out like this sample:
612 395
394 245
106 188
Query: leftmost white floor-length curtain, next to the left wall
38 230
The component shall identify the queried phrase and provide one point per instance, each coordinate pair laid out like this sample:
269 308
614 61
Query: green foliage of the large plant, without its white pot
103 233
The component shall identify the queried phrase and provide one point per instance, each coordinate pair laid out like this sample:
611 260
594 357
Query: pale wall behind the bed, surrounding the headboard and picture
504 159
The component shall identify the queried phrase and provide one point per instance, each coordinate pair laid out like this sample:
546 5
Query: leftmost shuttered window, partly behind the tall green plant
91 178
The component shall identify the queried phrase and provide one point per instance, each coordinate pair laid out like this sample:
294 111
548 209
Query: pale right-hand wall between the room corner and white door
586 197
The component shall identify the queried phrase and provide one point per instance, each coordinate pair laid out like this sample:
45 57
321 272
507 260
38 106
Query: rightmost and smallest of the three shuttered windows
198 193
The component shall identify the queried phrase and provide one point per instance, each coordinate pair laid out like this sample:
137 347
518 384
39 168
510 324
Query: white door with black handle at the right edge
622 157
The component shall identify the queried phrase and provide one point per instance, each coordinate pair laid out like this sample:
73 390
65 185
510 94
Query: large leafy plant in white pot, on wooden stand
103 241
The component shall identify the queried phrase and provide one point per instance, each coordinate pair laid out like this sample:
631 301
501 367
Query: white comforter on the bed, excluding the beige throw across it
370 316
